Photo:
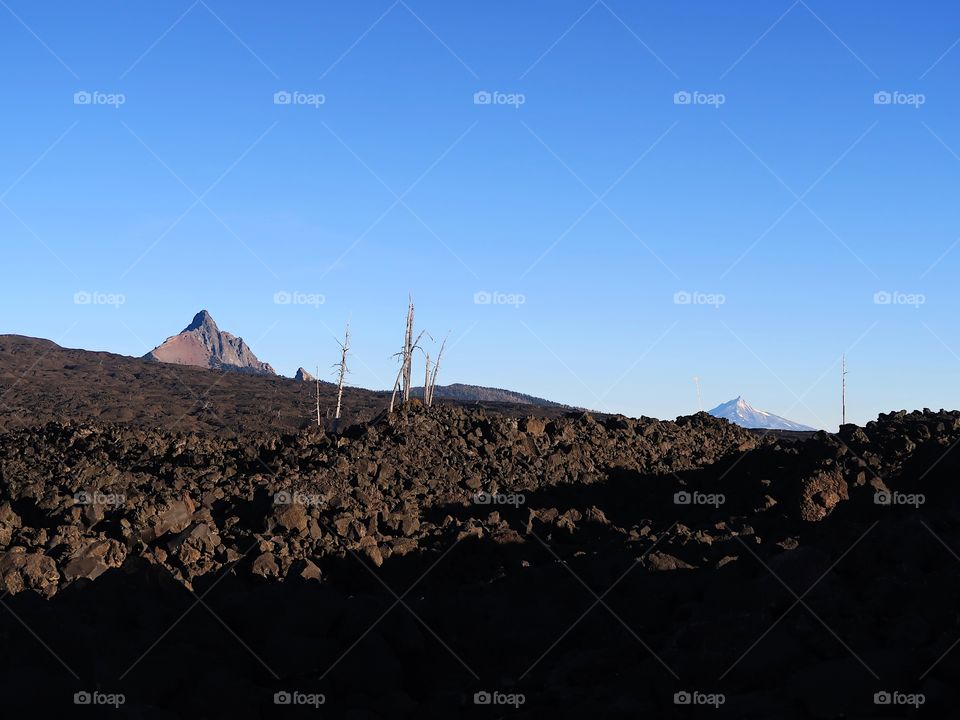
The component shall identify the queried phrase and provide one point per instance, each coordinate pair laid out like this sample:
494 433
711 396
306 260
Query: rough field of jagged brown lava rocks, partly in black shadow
441 563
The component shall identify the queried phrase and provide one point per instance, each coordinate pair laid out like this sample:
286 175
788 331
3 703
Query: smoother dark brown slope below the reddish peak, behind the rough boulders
41 381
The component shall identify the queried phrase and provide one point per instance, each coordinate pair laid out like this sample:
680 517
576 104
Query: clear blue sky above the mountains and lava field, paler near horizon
794 201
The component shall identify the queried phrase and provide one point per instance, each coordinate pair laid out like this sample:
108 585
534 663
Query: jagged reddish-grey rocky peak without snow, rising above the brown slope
203 344
